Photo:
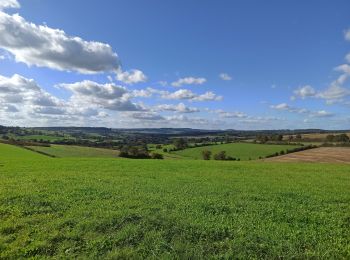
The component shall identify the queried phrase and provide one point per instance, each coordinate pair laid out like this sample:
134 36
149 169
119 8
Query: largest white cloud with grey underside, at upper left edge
43 46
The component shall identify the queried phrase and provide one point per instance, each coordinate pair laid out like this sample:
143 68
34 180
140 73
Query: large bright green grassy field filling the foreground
108 208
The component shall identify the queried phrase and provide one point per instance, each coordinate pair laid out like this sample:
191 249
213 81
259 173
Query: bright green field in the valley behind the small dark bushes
244 151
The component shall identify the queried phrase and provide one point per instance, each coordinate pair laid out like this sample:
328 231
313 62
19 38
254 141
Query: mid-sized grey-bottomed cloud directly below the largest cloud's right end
108 96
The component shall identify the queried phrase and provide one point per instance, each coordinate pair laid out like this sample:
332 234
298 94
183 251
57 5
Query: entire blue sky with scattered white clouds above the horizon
159 63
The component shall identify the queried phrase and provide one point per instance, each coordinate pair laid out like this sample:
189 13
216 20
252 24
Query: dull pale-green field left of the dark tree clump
75 151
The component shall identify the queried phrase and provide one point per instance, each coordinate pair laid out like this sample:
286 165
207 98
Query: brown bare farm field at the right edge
322 154
